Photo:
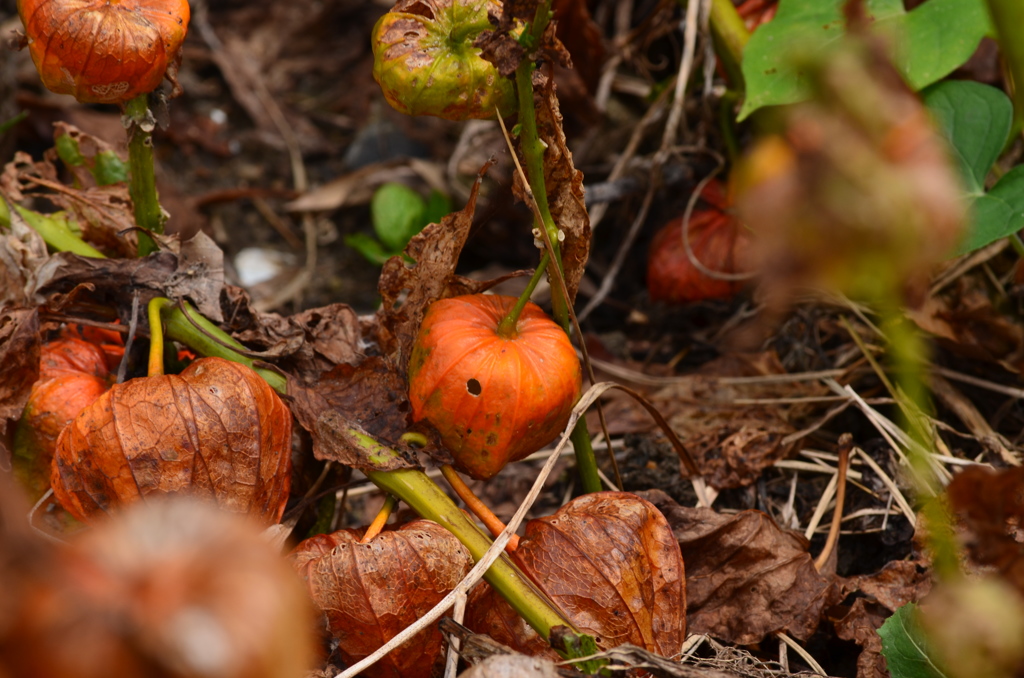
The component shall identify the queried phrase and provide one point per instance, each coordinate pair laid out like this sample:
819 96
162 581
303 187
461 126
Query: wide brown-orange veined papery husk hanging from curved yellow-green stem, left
217 431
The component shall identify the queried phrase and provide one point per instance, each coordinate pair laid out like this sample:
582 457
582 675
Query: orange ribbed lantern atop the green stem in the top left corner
104 52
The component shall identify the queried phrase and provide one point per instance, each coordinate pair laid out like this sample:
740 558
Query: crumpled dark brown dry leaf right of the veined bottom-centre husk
746 577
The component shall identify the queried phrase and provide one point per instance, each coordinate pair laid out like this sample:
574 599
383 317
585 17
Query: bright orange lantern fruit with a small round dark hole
494 399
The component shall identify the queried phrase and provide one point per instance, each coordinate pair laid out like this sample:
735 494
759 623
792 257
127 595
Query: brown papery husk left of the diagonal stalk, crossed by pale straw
370 592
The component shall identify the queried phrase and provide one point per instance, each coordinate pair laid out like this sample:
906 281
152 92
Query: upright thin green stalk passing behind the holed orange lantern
533 151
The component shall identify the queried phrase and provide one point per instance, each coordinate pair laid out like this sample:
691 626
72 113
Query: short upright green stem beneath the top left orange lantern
149 215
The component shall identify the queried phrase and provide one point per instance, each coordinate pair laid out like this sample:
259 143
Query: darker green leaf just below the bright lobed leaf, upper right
976 120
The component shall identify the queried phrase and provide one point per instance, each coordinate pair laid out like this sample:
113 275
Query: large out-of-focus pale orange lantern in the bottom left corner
172 588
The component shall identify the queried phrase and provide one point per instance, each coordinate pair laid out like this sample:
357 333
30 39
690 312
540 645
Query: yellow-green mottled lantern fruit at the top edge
425 62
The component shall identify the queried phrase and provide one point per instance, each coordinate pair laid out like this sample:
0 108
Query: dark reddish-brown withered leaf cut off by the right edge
990 505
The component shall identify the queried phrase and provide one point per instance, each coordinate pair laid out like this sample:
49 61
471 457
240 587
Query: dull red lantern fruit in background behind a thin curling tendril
718 242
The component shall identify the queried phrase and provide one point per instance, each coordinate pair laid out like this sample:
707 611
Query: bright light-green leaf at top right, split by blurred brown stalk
928 44
